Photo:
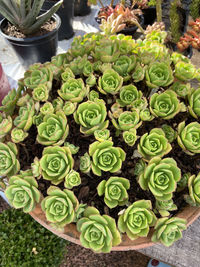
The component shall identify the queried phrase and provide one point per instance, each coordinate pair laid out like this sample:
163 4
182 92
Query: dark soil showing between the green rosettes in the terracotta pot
86 192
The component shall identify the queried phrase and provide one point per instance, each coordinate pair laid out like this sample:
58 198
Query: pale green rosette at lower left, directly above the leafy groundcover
23 192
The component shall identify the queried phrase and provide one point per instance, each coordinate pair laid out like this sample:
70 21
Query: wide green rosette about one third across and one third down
73 90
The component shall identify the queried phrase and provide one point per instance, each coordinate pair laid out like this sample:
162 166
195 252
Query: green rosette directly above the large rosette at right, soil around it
154 144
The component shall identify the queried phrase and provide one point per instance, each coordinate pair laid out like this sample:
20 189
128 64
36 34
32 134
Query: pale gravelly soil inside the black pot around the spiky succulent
13 31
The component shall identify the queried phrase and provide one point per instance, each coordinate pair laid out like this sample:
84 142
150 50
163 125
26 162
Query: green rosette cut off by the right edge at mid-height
189 137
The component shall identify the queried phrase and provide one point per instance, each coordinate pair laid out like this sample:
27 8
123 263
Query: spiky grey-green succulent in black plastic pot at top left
33 34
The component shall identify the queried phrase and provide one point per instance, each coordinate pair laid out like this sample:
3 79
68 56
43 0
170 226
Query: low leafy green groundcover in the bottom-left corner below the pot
25 243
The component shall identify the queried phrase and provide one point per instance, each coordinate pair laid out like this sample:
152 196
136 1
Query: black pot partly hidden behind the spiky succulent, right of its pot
66 14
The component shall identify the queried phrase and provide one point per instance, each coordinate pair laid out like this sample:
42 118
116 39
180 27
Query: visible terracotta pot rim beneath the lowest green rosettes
71 234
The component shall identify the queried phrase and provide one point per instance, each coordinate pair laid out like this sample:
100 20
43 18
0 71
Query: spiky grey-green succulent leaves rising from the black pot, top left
25 15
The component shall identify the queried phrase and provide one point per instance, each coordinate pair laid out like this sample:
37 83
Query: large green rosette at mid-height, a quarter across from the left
53 130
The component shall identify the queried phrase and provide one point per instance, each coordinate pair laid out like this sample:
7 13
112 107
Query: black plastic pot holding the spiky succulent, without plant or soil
34 49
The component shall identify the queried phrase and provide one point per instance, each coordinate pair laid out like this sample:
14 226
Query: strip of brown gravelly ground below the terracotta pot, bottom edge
81 257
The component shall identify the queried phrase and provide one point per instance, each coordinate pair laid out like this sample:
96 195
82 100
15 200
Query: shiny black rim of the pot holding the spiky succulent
30 39
